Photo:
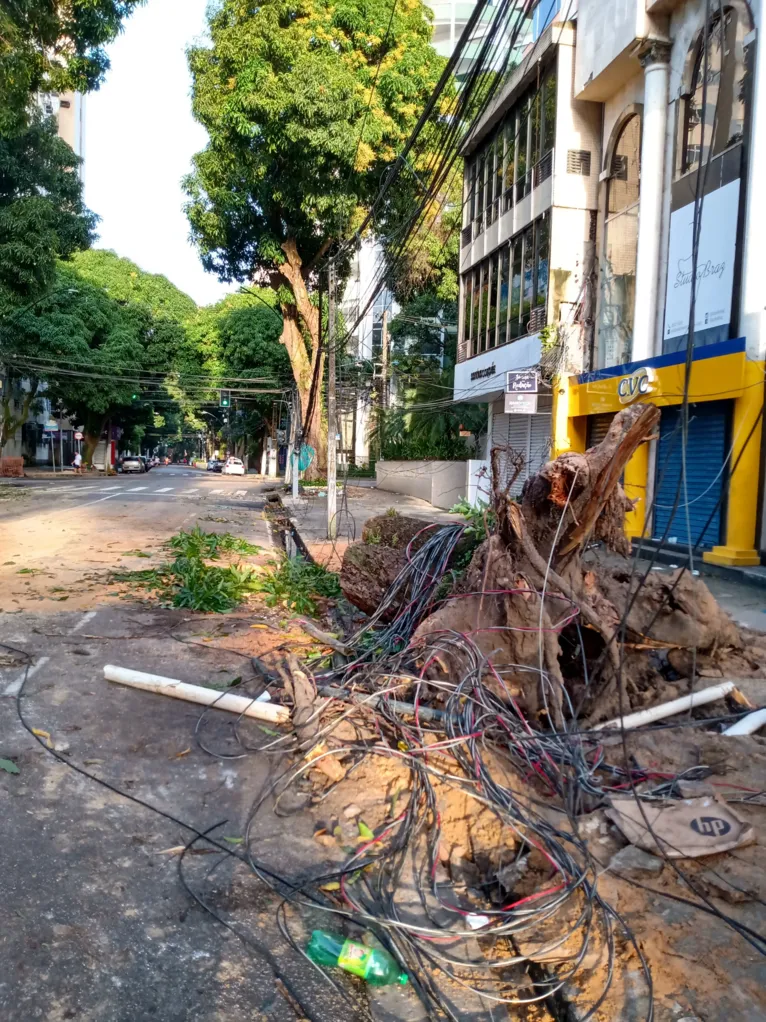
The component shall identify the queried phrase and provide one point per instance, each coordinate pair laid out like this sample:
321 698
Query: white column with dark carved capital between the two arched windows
655 62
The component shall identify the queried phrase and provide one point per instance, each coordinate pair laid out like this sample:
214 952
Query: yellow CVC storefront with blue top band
723 377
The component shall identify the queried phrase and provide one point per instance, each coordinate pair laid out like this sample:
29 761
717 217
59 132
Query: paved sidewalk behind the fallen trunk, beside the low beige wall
310 516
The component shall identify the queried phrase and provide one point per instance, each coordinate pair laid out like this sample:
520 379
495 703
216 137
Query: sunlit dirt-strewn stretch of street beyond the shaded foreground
54 534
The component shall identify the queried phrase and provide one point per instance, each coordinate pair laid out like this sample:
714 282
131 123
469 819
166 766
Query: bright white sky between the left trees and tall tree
139 141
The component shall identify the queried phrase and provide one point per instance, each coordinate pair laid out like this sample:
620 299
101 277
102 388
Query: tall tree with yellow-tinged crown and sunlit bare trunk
307 106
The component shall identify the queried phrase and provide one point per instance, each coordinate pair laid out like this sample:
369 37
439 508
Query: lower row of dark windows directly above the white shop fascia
506 297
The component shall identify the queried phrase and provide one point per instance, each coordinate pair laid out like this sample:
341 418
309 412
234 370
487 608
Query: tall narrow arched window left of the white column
617 281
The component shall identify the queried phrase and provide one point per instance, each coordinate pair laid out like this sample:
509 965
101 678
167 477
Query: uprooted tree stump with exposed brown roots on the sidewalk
554 614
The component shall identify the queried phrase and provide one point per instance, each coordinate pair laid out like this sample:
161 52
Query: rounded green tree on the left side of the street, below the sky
104 345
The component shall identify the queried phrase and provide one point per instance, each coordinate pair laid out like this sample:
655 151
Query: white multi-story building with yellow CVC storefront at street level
633 128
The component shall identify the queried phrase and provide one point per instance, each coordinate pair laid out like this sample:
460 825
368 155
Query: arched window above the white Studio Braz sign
713 119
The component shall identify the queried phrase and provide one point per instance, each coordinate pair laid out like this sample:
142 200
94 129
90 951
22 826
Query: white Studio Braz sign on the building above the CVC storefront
715 263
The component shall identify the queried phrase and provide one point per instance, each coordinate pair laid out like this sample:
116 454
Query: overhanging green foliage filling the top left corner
54 47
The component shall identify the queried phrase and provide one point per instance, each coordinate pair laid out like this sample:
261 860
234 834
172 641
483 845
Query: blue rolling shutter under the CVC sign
706 477
